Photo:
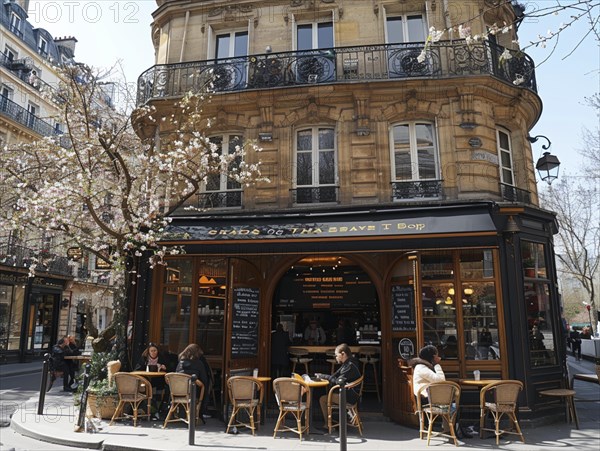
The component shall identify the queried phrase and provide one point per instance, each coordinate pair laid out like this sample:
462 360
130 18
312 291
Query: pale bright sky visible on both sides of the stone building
109 31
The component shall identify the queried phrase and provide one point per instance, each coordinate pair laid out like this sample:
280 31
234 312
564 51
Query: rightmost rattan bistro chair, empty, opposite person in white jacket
499 399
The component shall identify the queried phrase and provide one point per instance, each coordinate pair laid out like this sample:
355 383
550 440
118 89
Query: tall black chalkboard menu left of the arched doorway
244 337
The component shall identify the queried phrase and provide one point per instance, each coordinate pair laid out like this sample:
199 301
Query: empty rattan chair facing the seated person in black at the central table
293 398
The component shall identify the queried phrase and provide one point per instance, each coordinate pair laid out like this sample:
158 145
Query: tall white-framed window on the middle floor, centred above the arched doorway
316 165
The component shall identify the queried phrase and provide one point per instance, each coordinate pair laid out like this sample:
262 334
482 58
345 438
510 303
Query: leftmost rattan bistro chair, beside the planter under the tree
133 390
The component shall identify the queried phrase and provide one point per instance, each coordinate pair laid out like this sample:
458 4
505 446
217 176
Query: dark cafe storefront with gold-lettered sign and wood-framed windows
399 278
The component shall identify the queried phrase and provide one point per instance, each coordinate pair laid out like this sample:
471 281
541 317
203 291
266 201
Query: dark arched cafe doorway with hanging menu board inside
322 301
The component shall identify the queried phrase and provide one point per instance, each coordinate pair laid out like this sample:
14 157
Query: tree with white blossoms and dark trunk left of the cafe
106 190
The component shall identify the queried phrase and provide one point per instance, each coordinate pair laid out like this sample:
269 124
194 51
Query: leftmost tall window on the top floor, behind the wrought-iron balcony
231 74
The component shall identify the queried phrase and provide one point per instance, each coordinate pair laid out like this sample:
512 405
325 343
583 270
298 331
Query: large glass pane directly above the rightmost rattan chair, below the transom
480 321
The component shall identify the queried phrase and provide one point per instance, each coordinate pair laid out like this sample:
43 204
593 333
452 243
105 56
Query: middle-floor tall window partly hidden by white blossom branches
220 189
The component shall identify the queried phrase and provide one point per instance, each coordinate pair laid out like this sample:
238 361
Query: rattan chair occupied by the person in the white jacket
443 399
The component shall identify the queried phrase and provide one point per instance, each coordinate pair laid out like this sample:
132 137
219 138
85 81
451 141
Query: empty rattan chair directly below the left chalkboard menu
246 394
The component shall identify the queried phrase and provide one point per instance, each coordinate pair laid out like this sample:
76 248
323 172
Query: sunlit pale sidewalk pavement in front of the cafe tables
58 423
